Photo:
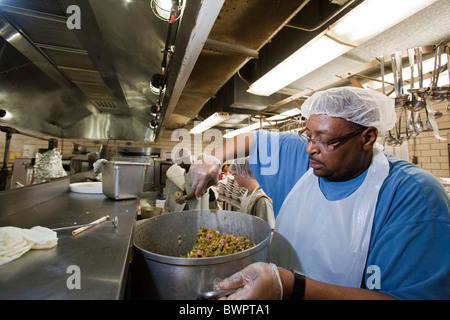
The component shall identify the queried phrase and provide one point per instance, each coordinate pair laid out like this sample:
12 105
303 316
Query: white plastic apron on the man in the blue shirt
328 240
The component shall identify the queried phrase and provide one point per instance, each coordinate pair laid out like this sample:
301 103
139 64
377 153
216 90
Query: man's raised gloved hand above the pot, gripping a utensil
204 173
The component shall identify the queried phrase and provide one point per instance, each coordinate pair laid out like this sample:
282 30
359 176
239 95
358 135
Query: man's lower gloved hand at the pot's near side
259 281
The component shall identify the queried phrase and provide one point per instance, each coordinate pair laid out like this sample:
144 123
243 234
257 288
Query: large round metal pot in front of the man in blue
159 271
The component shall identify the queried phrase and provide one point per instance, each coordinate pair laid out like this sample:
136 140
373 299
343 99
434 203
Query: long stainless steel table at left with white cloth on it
102 253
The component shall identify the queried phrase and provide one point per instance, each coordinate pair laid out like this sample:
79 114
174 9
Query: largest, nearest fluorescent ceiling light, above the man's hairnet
364 22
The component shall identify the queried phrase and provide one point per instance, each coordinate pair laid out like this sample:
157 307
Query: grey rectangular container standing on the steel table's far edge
123 180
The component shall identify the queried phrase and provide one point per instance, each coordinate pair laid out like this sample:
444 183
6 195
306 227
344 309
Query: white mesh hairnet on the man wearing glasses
365 107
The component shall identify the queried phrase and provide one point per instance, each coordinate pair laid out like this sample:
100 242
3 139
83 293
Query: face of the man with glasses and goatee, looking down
340 161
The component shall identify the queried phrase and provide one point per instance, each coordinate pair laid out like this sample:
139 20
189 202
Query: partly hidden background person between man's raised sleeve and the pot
254 201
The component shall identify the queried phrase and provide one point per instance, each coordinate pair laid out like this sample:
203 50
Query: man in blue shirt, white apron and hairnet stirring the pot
352 221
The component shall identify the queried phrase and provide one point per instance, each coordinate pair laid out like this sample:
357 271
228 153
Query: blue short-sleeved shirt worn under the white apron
410 240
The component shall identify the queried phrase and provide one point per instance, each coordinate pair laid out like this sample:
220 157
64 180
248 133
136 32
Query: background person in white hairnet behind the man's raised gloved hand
184 159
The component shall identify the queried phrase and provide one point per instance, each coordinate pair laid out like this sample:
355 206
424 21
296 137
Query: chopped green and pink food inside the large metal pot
210 243
